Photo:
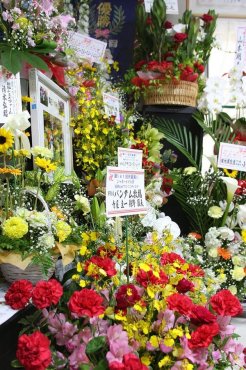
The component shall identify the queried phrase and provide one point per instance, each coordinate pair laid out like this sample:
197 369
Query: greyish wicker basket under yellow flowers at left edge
32 273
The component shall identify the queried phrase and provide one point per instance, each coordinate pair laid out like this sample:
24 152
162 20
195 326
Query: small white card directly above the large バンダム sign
130 158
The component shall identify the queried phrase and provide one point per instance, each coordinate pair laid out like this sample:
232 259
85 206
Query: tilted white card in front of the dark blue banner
87 47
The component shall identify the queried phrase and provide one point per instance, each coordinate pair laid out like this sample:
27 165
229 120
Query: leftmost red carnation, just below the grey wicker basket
18 294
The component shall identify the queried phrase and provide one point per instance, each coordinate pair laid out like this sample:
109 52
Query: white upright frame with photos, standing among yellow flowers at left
50 118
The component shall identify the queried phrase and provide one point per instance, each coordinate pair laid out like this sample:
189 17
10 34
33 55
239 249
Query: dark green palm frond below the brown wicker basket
182 138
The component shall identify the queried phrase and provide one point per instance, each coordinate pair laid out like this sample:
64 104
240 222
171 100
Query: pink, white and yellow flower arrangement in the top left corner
29 31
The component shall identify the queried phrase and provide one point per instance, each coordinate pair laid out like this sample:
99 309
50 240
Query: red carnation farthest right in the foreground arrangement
224 303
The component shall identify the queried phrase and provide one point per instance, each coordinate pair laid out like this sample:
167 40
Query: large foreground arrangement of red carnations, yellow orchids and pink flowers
156 317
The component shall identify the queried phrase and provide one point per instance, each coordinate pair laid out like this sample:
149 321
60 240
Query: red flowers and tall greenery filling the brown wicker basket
169 53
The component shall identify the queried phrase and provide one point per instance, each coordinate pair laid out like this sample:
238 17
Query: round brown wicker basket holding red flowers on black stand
181 93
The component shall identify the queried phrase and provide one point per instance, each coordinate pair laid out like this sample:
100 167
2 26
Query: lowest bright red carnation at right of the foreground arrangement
203 336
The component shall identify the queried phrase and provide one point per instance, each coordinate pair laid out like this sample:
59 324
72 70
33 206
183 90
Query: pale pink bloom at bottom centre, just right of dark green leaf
118 343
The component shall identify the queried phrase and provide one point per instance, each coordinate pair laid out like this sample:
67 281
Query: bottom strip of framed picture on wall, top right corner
225 8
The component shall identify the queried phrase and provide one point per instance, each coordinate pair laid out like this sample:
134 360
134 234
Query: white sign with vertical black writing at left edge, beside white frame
10 93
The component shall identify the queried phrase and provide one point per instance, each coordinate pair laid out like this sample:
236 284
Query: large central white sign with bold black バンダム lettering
125 194
